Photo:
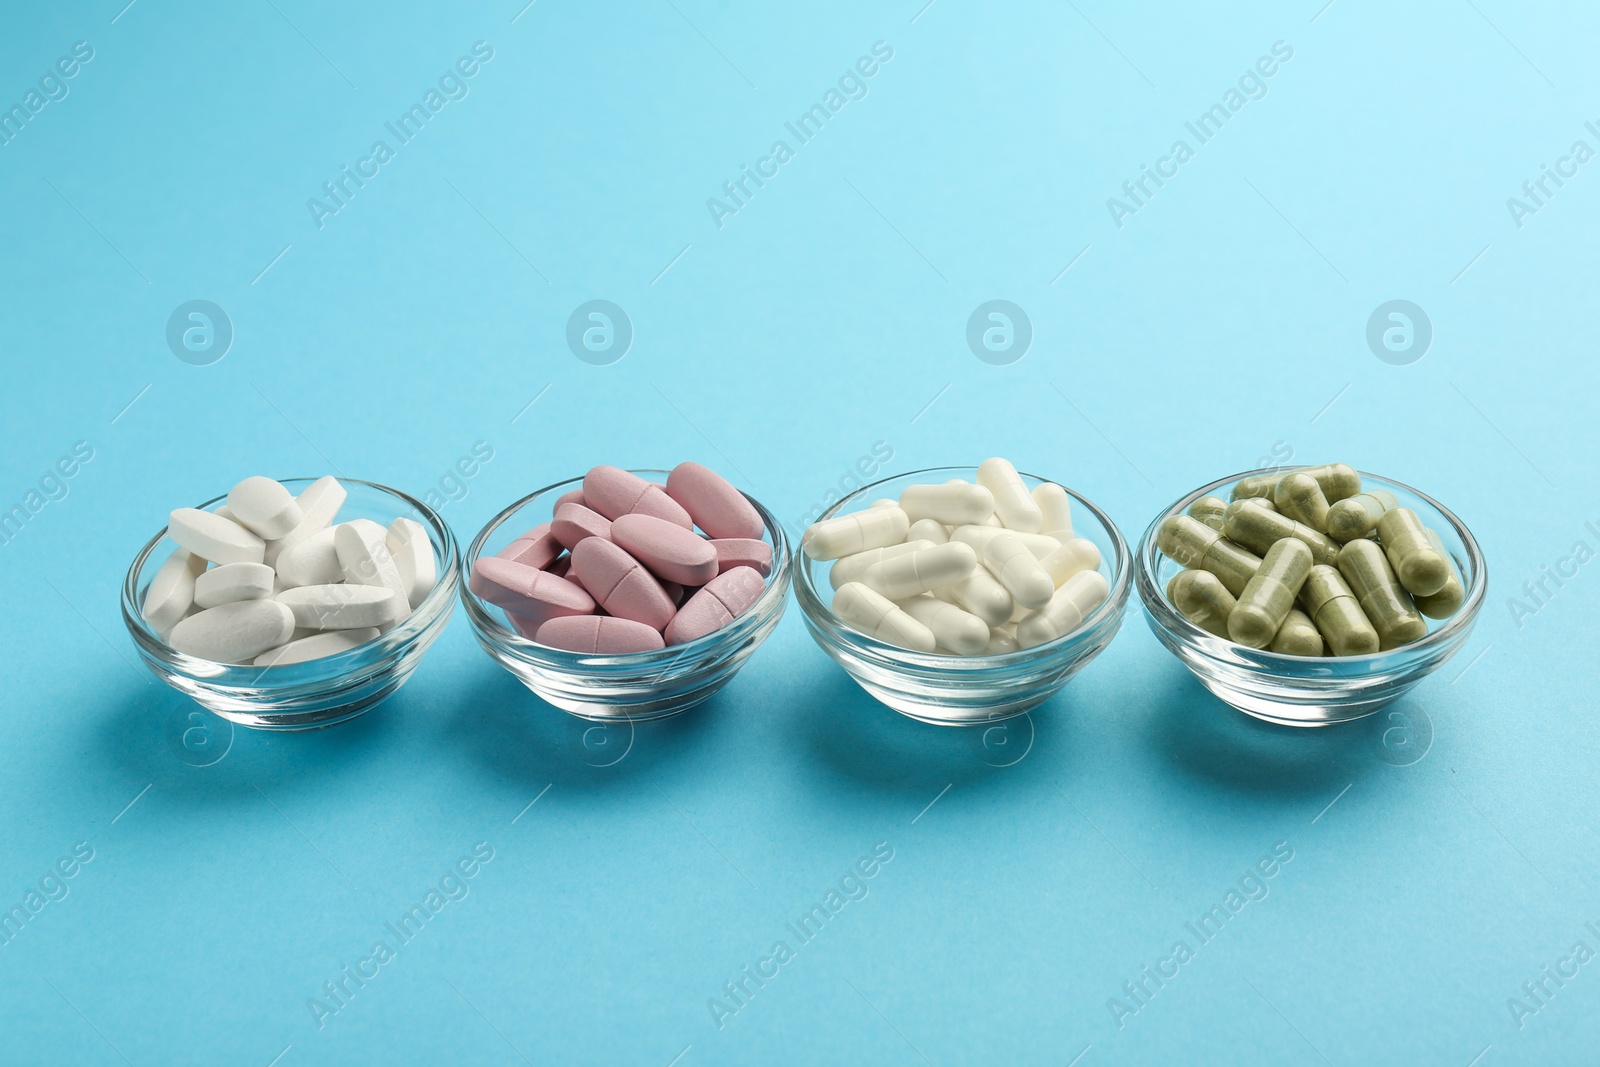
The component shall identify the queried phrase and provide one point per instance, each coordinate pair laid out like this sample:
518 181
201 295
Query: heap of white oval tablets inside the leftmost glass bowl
271 580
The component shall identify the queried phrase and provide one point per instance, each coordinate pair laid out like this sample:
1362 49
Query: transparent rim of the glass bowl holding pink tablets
660 661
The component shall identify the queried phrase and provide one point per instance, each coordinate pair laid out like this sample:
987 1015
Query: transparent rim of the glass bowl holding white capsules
825 621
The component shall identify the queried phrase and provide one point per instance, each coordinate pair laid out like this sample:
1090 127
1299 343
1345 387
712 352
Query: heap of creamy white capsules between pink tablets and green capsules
962 569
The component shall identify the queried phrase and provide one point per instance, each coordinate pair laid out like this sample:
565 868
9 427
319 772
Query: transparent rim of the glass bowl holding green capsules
1162 610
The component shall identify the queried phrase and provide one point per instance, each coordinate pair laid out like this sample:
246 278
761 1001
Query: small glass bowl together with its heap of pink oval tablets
628 594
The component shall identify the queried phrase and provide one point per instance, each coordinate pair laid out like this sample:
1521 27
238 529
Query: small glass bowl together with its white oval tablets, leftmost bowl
294 604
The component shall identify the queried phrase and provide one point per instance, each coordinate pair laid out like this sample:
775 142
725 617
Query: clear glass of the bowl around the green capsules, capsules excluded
1311 690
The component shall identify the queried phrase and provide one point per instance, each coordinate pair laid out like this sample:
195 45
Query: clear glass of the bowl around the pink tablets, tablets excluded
628 687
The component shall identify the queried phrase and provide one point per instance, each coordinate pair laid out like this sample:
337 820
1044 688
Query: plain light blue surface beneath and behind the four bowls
1441 858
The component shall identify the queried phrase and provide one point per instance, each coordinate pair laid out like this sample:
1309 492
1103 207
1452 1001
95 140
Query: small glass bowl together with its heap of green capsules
1311 596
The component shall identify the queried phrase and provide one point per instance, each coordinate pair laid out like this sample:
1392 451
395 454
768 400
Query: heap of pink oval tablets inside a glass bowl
620 567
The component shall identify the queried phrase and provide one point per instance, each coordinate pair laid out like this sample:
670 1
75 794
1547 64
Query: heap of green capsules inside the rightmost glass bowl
1308 564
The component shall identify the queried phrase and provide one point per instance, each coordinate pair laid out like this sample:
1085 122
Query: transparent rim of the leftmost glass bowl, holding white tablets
370 657
